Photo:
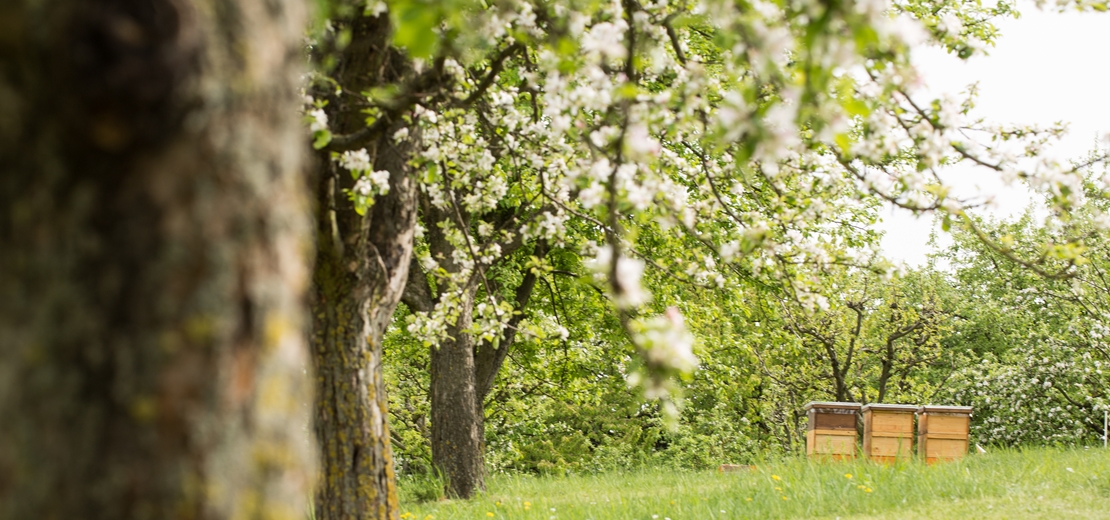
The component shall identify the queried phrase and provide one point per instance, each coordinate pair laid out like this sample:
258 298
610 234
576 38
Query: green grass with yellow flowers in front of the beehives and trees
1006 484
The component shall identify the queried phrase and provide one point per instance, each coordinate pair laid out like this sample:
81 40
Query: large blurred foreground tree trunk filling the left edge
153 253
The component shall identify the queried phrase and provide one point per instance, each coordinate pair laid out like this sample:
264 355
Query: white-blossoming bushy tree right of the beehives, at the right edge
1038 362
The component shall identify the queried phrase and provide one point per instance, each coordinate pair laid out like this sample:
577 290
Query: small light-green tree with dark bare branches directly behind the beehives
877 339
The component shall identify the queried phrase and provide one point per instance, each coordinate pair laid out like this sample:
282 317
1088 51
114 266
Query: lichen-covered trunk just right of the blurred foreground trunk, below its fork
356 295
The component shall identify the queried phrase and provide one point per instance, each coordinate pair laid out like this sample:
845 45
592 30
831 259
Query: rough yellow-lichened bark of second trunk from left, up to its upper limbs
362 263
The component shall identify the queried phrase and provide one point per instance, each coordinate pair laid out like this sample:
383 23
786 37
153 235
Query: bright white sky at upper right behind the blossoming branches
1046 68
